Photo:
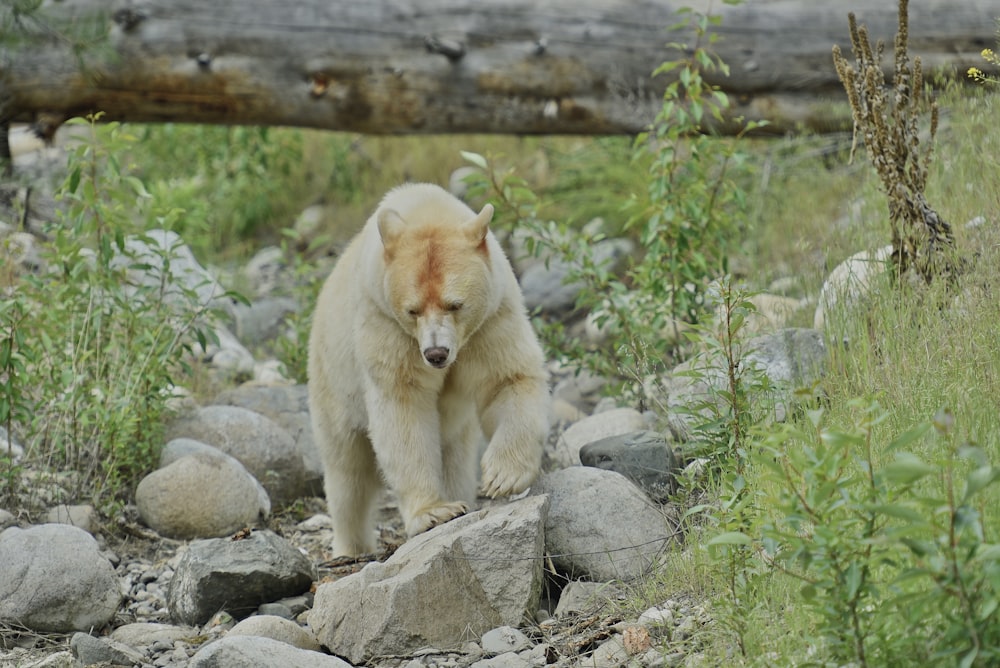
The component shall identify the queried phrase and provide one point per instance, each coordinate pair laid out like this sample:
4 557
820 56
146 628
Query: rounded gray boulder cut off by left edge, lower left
53 578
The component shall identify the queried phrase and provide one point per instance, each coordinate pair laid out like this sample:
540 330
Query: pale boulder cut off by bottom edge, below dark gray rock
253 652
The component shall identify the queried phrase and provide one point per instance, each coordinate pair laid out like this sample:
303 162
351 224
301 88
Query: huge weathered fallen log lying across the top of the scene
452 66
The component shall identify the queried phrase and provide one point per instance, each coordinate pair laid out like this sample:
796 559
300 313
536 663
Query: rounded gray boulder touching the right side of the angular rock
600 526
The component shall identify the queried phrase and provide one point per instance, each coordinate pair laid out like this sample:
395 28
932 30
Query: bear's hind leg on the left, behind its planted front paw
351 483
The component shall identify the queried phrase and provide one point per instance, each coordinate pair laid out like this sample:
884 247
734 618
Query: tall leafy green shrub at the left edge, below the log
89 355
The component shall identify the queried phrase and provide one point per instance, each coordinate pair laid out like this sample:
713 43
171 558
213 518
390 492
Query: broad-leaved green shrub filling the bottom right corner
893 557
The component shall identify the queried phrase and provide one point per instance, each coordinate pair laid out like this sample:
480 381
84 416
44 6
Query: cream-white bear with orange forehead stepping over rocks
420 352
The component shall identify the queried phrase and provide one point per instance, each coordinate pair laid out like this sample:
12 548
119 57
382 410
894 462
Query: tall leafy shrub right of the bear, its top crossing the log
687 225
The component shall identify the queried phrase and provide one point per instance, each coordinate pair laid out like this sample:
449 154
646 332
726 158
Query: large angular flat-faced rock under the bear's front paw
460 579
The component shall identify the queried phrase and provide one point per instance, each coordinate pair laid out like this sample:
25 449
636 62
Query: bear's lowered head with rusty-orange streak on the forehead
438 280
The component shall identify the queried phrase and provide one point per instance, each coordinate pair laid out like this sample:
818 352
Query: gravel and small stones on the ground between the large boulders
584 625
